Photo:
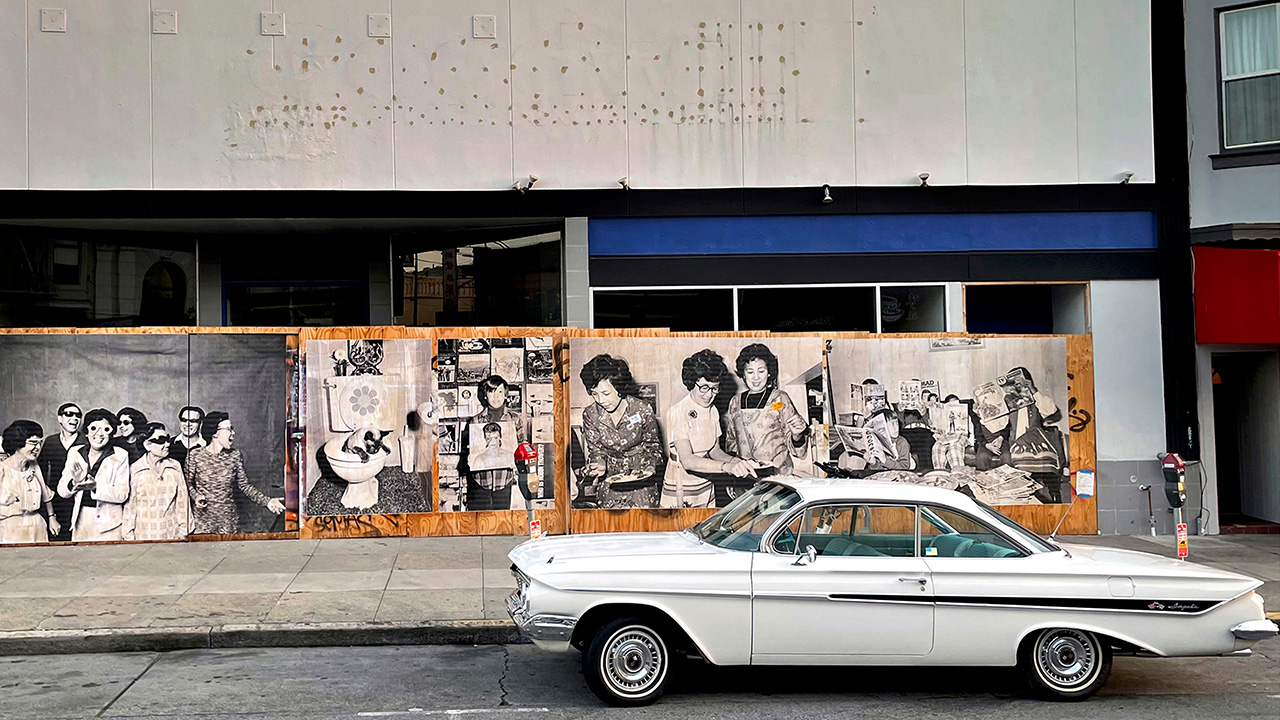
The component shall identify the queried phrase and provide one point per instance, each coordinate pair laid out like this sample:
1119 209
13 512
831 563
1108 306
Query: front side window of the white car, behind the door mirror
867 531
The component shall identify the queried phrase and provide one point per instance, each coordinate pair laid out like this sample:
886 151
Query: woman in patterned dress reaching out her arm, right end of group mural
213 475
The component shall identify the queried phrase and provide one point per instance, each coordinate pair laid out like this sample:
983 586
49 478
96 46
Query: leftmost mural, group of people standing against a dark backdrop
135 438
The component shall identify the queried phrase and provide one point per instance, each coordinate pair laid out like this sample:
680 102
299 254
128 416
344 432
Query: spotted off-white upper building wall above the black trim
580 93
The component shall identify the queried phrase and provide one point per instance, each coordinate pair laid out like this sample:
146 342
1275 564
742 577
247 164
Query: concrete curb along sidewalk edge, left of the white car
284 635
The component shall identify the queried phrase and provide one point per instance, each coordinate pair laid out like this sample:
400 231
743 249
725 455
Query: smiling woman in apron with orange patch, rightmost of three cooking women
764 426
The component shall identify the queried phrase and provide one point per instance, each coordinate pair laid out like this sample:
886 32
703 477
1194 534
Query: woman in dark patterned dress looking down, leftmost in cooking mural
621 438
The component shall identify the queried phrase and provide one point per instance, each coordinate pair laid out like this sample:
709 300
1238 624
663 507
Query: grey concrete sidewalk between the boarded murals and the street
335 593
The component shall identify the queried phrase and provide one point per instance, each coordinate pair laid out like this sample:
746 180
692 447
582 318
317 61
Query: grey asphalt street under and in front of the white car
508 682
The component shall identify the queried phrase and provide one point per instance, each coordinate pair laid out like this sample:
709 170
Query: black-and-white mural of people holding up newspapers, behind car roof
982 416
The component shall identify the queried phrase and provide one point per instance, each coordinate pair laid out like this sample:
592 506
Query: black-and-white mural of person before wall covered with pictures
495 394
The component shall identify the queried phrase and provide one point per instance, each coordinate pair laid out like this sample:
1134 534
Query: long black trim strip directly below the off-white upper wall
604 203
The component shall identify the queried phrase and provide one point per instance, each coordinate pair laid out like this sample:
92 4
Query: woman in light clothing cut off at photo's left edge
22 486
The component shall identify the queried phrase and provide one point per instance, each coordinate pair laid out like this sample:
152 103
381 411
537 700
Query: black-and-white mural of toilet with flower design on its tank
371 427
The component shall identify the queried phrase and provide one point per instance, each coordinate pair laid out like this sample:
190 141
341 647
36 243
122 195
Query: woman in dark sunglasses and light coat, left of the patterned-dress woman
158 505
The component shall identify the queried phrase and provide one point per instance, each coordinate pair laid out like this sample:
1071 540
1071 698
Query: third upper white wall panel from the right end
909 76
